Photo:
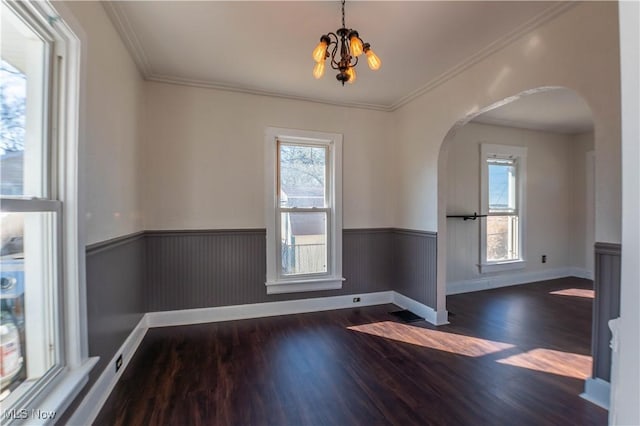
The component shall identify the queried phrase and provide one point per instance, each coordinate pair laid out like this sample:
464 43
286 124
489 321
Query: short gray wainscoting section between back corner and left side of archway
415 257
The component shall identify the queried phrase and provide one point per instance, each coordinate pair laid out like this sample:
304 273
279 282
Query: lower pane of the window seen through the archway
502 238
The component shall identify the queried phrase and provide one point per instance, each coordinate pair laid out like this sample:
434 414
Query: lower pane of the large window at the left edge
28 282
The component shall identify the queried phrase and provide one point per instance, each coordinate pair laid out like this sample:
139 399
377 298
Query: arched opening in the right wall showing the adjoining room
516 205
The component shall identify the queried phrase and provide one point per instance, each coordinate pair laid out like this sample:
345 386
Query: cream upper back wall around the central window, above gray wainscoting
204 157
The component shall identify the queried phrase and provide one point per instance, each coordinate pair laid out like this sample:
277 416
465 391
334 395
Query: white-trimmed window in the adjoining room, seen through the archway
503 171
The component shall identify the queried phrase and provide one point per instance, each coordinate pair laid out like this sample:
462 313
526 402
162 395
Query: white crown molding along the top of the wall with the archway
500 43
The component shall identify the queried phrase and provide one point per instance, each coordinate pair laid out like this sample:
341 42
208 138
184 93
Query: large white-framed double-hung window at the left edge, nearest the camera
38 237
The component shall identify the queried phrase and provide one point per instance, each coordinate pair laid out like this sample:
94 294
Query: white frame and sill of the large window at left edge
63 74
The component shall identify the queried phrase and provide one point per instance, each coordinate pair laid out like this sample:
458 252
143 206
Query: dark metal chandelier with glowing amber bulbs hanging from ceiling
350 45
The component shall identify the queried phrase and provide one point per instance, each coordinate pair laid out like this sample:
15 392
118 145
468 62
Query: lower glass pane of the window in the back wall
303 243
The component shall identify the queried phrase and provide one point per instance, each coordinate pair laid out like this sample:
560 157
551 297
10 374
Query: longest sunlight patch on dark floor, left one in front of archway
439 340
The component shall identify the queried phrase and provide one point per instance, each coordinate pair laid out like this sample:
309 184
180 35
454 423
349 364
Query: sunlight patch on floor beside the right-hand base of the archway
554 362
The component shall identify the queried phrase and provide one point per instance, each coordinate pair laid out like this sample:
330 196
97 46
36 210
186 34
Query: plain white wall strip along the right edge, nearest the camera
625 377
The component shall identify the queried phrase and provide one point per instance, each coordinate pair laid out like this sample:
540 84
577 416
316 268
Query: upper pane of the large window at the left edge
22 88
